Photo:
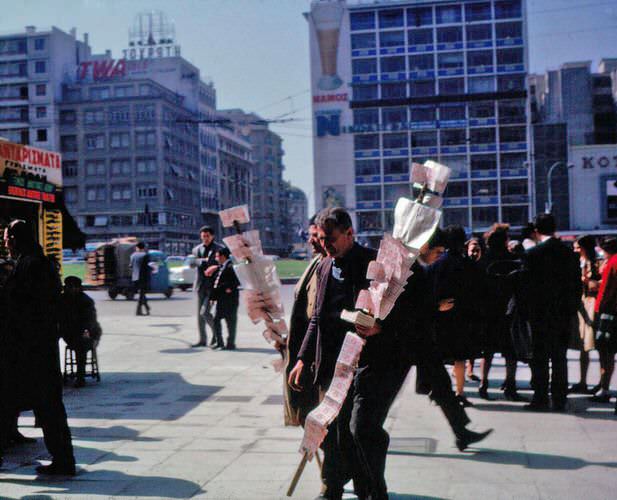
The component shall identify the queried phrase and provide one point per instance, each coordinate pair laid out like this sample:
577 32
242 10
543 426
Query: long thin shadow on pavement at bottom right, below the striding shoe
539 461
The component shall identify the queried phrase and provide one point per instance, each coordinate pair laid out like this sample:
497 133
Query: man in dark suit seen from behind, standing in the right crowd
553 279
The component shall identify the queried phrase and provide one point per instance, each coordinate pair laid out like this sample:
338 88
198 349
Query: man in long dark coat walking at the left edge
30 360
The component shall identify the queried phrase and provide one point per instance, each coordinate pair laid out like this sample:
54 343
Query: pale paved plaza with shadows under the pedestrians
169 421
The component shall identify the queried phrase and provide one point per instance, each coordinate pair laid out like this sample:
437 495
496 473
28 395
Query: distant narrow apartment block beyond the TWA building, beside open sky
267 188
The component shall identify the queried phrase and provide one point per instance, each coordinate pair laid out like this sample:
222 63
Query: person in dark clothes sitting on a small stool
78 325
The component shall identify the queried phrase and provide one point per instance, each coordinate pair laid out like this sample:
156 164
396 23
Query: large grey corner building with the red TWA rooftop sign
138 143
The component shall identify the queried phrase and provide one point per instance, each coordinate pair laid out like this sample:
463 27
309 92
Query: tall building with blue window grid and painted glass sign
396 82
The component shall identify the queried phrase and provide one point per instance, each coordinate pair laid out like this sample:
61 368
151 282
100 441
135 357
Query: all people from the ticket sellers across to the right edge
467 299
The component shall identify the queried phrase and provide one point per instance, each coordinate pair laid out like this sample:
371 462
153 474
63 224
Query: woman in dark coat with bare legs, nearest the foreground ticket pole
456 286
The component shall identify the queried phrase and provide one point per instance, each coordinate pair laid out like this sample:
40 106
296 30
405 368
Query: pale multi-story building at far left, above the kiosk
33 64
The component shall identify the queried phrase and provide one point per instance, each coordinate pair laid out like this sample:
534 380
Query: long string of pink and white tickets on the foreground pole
414 224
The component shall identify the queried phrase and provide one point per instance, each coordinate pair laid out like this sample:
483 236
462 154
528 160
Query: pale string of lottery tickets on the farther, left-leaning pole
261 286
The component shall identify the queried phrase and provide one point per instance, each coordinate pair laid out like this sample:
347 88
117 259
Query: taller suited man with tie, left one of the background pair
206 264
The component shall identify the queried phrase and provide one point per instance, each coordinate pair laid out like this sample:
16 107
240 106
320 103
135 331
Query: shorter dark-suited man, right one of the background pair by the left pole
225 293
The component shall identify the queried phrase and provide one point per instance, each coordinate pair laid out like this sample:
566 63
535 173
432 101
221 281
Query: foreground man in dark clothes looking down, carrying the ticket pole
356 444
